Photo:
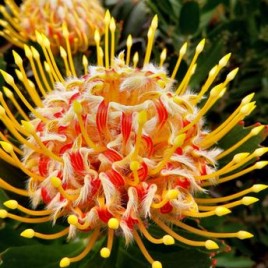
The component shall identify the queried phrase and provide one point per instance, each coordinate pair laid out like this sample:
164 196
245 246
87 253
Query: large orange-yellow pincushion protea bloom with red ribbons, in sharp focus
121 148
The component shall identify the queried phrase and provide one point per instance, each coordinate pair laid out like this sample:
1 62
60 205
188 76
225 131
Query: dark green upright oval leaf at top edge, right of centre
189 18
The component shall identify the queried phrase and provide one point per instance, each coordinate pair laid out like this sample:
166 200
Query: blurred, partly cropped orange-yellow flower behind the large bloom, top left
81 18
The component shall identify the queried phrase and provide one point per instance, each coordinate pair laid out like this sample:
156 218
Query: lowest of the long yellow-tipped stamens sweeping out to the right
208 244
